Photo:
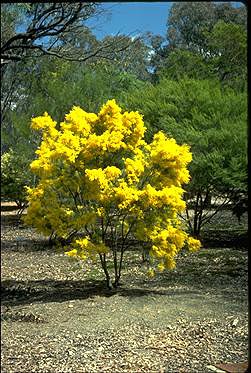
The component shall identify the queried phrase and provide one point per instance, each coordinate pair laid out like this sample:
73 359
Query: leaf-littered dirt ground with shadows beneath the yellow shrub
57 315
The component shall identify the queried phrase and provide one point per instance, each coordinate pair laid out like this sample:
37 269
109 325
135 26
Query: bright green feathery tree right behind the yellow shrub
206 117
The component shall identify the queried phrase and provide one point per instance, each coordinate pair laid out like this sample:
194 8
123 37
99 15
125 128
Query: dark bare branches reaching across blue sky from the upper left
53 27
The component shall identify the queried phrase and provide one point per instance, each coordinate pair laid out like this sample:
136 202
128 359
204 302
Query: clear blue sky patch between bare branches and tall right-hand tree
132 18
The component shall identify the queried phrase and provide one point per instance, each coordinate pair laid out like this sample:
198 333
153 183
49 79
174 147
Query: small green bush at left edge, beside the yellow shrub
15 175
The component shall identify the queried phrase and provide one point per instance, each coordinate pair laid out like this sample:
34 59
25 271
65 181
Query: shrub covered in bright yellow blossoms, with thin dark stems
101 184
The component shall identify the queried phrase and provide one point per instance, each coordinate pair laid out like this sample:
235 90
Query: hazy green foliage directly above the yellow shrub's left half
55 86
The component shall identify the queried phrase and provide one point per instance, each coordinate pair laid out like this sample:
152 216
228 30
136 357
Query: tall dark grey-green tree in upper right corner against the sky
192 34
